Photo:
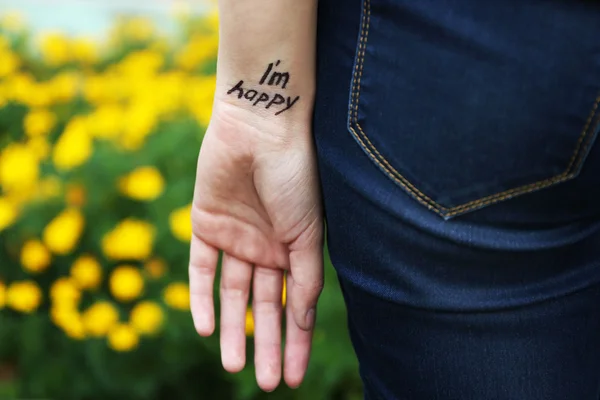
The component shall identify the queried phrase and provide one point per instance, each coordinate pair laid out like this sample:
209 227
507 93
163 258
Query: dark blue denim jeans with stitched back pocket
461 178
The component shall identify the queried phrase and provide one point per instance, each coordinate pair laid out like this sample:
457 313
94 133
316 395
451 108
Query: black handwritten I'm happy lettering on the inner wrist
275 101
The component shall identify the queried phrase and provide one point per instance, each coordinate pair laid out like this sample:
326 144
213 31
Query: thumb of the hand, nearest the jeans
306 269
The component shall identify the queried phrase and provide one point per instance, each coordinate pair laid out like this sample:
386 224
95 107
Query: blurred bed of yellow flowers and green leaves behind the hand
98 145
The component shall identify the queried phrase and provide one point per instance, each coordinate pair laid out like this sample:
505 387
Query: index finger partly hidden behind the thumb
297 348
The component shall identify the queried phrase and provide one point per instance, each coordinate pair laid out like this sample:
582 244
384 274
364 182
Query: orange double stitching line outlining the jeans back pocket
402 181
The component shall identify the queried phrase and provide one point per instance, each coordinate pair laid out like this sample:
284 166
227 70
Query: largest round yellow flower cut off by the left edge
18 167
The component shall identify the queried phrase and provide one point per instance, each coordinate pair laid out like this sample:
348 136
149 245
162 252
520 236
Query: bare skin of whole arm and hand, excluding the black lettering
257 195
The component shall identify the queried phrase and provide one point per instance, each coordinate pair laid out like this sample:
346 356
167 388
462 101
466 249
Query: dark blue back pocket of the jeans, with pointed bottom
461 122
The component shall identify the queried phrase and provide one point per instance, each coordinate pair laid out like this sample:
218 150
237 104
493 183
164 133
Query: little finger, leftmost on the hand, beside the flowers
203 263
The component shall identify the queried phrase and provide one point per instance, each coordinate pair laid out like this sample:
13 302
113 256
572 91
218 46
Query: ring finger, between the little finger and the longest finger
236 276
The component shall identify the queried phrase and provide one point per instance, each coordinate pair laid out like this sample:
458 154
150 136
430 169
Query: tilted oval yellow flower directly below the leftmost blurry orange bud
63 232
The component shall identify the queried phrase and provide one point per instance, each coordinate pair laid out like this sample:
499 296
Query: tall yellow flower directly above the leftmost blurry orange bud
73 147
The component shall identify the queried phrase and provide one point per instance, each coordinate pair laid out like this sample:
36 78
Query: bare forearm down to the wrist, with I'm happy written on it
266 61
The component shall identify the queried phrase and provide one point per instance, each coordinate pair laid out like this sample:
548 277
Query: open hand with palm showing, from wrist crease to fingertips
257 199
